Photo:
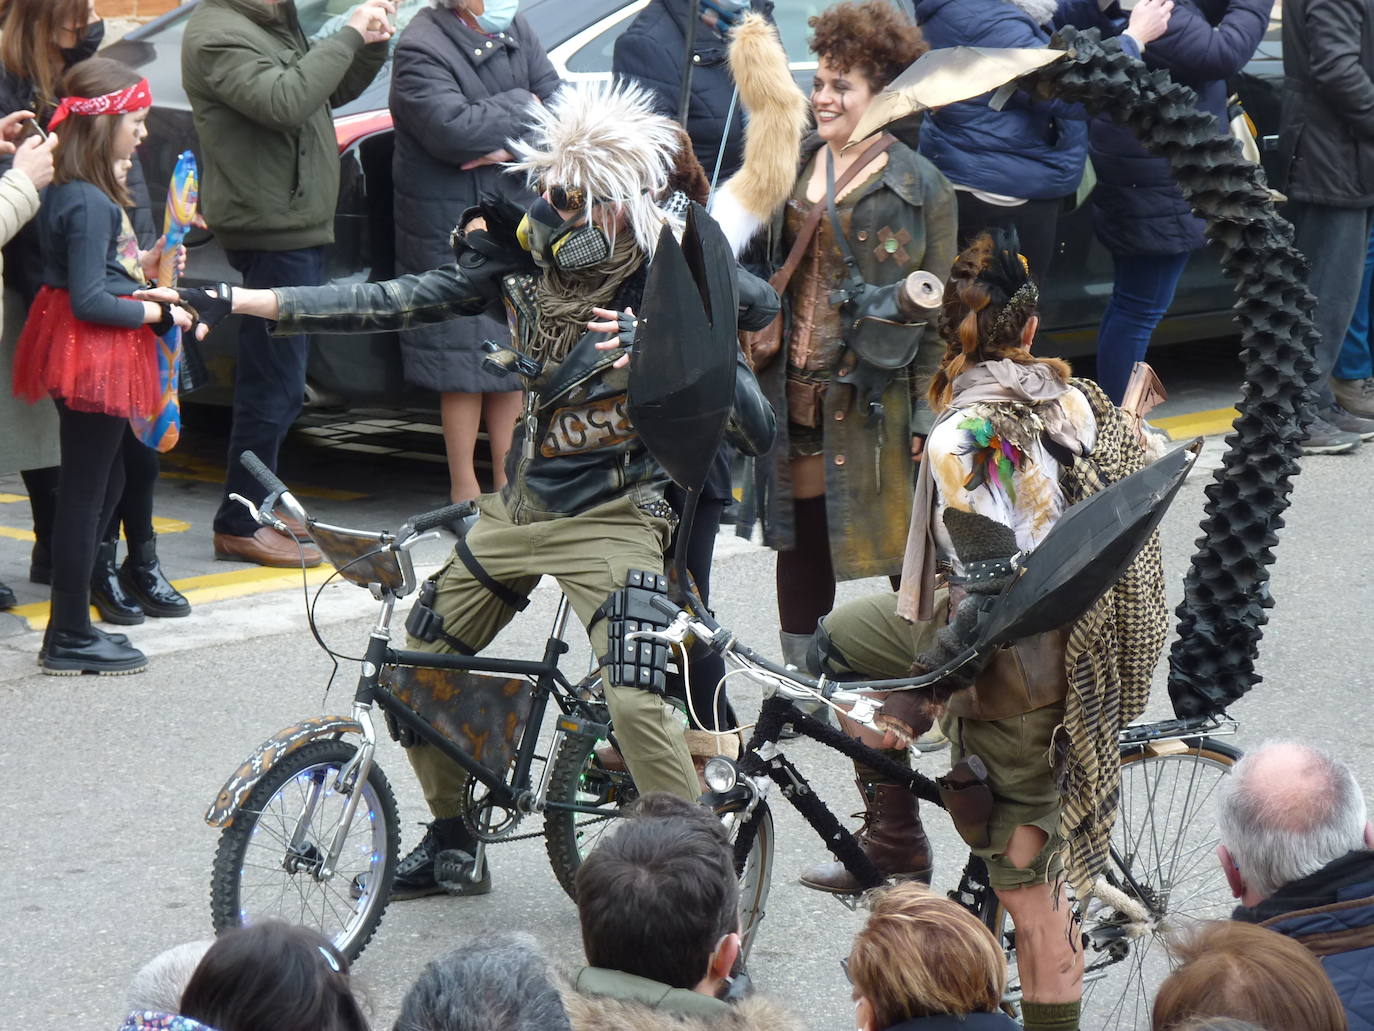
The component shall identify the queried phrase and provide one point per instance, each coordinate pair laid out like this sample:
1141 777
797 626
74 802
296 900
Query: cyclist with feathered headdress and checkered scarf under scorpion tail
1034 735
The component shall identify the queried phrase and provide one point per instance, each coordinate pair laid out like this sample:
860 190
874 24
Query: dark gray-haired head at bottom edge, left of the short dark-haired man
498 984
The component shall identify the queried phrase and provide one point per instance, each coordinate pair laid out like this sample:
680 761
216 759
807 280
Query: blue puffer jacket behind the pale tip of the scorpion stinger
1031 149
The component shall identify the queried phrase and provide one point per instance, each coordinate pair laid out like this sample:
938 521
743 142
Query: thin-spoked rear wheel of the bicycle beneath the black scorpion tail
1164 865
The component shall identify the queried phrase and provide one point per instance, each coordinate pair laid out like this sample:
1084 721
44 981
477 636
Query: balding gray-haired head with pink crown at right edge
1287 812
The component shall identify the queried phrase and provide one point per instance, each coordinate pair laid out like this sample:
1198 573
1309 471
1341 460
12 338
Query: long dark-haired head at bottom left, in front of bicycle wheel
273 977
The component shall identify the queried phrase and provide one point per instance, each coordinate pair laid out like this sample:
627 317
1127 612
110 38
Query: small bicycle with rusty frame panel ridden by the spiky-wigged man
310 823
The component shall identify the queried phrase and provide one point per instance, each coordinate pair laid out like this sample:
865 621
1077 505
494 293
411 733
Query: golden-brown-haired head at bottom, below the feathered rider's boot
925 956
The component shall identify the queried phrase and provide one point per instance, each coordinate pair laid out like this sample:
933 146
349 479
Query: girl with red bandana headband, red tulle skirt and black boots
90 346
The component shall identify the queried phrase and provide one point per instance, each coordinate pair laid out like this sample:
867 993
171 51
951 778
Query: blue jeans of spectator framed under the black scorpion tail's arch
1141 295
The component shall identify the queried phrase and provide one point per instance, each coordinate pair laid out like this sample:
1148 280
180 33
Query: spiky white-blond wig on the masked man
605 141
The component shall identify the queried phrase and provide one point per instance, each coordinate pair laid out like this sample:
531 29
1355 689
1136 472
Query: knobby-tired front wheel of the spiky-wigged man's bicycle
254 856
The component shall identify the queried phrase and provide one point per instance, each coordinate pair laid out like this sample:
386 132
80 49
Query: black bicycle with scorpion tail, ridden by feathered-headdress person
1162 872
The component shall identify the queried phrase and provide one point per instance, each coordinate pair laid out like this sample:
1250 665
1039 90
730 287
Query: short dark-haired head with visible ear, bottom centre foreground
659 898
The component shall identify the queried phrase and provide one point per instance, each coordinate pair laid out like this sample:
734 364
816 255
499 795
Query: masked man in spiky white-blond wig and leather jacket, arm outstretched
585 500
